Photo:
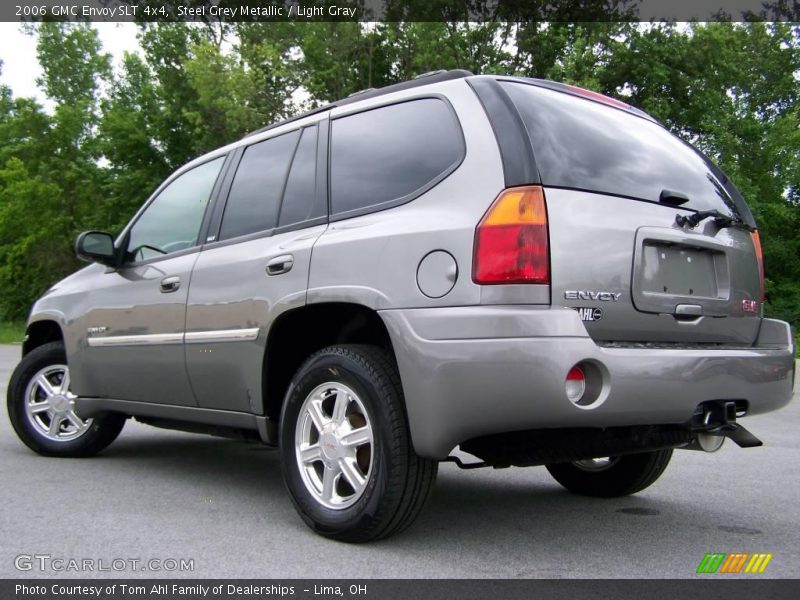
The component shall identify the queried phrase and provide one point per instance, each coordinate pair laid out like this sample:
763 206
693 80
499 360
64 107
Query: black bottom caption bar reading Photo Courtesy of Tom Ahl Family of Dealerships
709 587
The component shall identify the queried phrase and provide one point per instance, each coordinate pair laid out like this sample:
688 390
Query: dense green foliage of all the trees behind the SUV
110 138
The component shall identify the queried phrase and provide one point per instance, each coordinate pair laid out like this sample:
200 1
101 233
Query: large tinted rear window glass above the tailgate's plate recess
585 145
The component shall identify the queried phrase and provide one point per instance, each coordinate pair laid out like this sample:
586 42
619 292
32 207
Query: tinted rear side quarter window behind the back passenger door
390 155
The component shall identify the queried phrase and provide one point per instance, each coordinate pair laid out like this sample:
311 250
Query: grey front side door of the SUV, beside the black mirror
135 326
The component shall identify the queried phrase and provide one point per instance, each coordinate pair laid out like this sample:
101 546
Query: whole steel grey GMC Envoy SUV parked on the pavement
517 270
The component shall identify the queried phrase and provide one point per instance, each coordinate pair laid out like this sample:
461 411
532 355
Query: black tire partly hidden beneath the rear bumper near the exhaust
624 476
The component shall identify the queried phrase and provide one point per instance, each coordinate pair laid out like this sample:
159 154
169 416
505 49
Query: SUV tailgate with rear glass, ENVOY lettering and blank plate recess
614 184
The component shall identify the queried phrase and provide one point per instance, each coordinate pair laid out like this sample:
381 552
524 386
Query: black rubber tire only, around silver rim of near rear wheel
397 483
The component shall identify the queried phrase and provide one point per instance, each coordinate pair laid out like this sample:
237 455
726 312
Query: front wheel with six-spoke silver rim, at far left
41 407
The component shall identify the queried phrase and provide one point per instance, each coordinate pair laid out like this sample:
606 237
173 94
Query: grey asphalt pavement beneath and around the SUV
157 494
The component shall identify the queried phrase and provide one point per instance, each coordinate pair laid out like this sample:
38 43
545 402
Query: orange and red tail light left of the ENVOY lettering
511 241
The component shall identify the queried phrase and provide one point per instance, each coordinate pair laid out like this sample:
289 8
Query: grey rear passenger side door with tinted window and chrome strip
254 265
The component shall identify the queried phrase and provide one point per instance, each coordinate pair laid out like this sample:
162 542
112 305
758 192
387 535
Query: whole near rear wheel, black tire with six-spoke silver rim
346 452
